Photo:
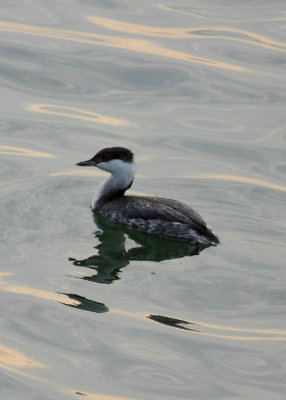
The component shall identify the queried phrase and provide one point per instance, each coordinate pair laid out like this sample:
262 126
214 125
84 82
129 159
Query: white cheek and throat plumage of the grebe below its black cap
122 175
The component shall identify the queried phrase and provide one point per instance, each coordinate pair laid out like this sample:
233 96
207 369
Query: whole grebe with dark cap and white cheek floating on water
156 216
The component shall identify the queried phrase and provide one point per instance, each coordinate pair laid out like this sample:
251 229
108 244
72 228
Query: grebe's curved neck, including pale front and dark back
116 185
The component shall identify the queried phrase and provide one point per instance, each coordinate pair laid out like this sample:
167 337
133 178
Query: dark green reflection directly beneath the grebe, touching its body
112 255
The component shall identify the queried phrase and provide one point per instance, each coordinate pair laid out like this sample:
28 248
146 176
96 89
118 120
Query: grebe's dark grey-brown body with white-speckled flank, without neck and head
159 217
